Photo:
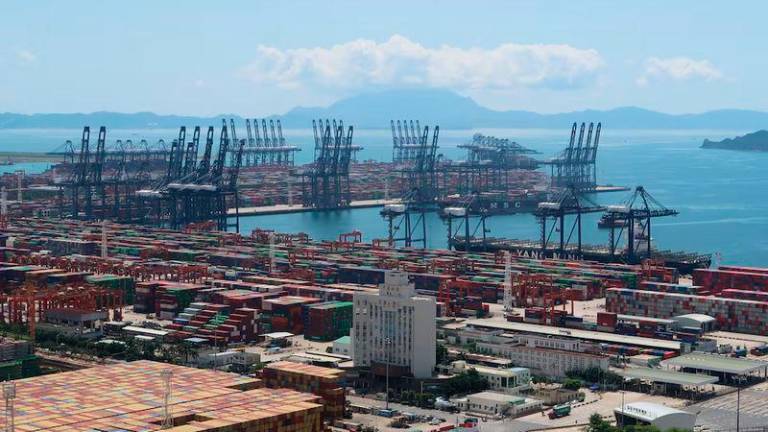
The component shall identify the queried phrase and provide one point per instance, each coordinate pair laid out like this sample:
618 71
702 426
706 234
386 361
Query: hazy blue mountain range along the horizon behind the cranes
448 109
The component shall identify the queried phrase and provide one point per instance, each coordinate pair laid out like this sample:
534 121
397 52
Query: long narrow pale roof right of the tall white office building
594 336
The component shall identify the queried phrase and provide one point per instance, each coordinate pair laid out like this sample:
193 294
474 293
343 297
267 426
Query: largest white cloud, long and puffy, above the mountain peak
402 62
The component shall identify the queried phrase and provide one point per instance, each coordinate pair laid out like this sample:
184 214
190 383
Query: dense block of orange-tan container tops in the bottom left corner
129 397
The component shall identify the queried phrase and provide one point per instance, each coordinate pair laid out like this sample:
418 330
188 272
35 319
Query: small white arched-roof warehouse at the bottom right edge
646 413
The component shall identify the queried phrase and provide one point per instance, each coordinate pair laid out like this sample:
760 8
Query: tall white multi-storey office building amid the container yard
394 327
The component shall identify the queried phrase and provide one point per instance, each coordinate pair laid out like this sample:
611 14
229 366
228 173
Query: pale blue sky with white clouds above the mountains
259 58
